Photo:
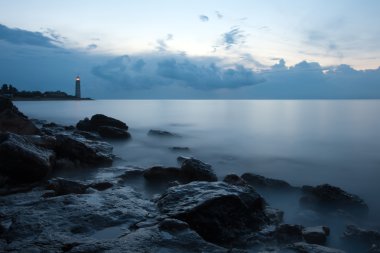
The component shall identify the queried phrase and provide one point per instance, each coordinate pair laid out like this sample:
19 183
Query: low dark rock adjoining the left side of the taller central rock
158 173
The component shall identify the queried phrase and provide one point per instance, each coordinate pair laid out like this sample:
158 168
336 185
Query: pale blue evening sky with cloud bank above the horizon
237 49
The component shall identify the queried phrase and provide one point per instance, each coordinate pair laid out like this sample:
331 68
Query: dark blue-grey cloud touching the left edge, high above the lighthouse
23 37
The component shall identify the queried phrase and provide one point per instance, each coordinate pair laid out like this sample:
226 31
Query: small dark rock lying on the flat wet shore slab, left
63 187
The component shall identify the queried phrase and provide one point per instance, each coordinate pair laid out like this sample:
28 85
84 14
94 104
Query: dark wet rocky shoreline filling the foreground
194 212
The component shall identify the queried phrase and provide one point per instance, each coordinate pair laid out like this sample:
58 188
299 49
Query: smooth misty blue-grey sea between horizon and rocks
302 142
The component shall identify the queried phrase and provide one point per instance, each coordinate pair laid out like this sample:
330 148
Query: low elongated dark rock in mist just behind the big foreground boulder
263 182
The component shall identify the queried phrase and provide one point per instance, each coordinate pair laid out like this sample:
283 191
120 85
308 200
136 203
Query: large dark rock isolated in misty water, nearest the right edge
330 198
